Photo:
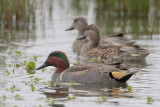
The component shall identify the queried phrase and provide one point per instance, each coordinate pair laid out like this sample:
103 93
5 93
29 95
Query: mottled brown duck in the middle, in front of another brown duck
112 53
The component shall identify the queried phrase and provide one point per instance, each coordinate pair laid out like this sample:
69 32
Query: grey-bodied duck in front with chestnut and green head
88 73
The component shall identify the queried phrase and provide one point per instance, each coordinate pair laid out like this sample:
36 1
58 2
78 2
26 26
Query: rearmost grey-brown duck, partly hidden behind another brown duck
80 24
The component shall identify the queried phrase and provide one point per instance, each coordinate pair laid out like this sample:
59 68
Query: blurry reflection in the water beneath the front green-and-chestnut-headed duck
88 90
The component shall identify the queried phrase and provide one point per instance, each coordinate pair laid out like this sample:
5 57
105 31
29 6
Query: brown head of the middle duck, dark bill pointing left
92 34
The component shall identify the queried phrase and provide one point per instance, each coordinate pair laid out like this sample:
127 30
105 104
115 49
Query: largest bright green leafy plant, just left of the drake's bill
31 67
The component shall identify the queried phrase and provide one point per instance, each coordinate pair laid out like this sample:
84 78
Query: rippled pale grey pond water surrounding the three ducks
44 31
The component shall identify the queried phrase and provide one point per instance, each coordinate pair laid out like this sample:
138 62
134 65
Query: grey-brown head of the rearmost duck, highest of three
80 24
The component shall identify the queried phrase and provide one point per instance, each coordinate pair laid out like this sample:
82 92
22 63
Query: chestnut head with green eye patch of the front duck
57 59
